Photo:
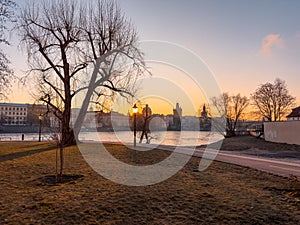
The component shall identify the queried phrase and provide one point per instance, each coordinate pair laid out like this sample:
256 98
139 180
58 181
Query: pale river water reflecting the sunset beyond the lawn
173 138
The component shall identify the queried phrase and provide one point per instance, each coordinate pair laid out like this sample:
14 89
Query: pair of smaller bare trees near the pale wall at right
271 101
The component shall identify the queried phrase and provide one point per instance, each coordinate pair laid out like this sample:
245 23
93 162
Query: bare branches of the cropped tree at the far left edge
6 15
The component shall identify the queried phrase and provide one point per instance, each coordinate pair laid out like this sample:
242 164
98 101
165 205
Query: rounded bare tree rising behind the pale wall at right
273 100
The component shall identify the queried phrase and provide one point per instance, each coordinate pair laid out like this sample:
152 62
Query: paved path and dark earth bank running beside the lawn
247 151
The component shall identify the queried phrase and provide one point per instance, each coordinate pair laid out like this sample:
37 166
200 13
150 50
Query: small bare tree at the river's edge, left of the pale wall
231 108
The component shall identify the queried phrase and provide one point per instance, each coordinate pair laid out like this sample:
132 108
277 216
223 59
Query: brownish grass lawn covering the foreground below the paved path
223 194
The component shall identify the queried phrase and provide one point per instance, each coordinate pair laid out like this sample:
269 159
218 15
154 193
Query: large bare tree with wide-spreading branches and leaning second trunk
90 48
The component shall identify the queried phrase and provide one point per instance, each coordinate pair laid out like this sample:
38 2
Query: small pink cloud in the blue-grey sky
271 41
